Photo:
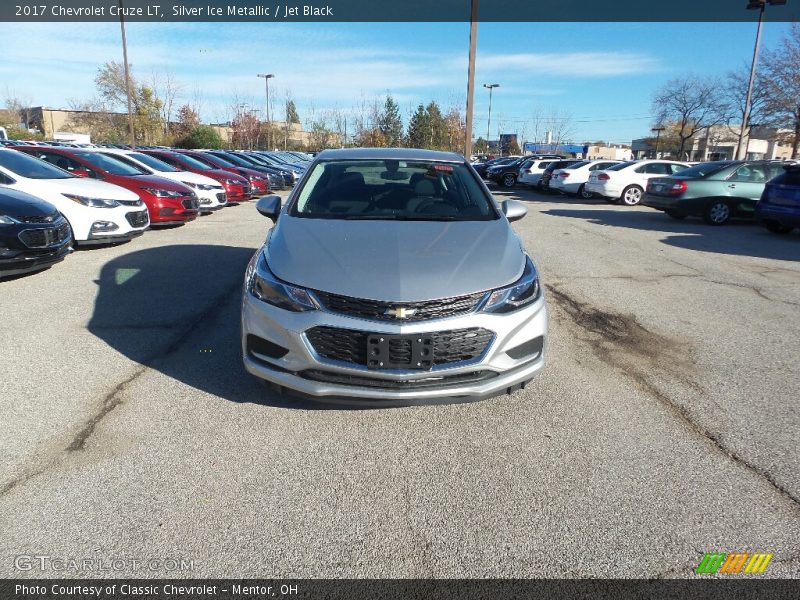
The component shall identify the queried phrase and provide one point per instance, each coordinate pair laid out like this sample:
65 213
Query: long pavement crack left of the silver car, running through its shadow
114 398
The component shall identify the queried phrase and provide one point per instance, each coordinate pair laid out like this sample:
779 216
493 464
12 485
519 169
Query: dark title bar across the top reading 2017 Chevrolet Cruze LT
544 11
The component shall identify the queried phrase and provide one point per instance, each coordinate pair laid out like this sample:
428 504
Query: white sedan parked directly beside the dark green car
627 181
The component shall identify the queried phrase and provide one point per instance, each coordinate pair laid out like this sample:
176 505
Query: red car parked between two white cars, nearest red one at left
168 202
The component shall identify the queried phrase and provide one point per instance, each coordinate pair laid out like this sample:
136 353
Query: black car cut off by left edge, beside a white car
33 234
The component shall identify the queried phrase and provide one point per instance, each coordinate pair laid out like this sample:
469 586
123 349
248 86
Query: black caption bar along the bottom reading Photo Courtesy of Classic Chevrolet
399 589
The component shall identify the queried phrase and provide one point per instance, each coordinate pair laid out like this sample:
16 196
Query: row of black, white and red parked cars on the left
53 198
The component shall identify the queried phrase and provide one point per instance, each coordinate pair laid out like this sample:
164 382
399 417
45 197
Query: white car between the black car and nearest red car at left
97 212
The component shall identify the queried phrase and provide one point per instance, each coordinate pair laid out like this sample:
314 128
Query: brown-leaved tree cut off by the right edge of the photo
782 77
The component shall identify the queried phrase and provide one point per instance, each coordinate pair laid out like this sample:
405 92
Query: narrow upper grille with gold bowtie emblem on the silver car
415 311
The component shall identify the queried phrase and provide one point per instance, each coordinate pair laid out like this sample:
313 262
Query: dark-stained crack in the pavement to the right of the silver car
612 335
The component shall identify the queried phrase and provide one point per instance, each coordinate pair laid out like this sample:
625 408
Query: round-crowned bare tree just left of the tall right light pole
692 103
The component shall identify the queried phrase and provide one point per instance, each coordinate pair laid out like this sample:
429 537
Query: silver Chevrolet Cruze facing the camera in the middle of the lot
392 276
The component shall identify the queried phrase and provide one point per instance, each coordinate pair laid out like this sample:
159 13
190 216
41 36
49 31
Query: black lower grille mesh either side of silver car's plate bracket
347 345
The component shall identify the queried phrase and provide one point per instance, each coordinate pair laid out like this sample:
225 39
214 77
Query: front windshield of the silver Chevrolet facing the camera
393 190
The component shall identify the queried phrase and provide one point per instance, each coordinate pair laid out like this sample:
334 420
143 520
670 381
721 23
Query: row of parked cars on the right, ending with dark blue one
768 190
